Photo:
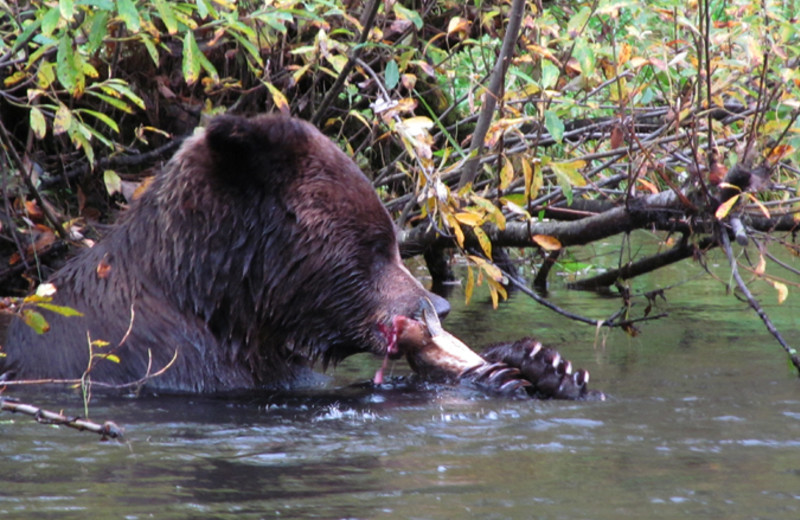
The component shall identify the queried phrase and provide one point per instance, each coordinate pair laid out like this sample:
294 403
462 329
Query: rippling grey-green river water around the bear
703 421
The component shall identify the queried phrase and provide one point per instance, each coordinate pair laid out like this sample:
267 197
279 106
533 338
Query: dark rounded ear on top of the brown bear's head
243 145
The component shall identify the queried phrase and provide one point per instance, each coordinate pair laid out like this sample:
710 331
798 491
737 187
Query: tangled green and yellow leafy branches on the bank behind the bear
483 124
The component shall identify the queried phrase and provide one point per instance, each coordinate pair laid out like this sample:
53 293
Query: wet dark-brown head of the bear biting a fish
269 233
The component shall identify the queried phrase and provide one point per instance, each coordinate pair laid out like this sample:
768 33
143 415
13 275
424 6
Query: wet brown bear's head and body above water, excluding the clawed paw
258 250
